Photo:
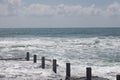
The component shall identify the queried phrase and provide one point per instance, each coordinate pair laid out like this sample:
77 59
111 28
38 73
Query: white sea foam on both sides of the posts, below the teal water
102 54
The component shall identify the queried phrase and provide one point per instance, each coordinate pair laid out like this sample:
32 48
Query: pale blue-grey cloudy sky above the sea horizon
59 13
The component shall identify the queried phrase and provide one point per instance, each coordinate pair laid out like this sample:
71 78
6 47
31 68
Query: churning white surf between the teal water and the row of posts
93 51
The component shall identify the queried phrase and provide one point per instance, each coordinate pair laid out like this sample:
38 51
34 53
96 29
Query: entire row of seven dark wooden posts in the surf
68 69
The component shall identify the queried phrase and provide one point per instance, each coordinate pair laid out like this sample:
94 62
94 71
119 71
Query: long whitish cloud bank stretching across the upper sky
15 7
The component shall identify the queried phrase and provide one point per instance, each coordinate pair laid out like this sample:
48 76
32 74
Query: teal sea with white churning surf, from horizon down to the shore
98 48
